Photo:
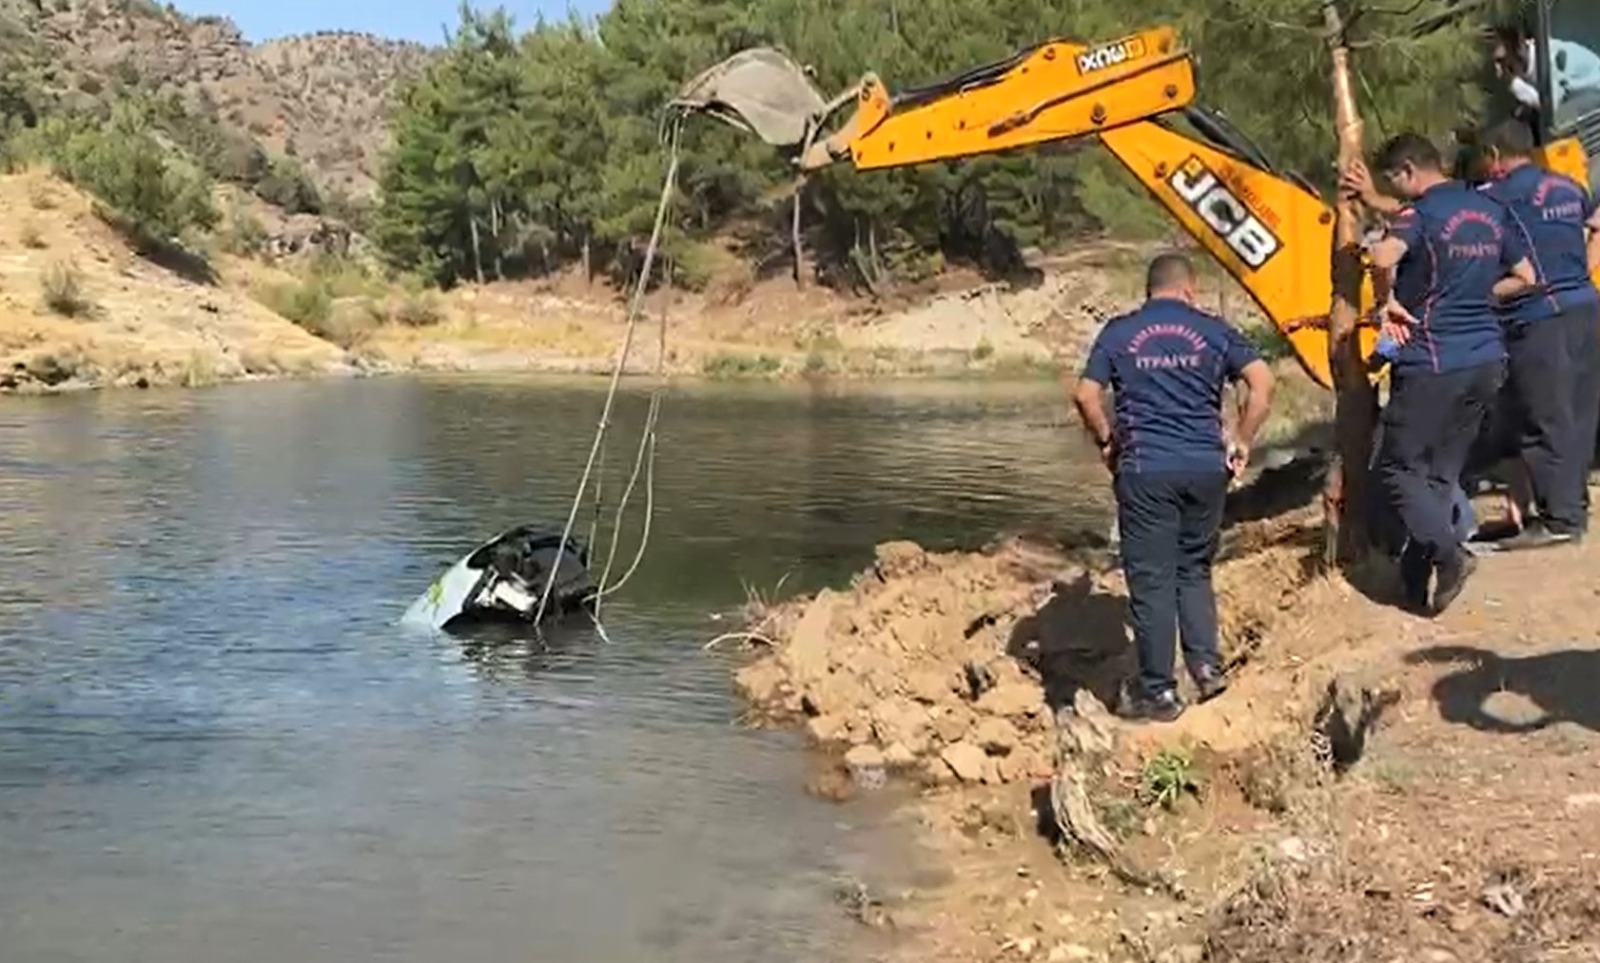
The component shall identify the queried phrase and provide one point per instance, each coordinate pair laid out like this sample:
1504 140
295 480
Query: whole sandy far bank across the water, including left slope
82 310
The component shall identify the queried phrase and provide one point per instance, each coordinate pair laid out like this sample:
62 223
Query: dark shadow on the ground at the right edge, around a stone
1561 684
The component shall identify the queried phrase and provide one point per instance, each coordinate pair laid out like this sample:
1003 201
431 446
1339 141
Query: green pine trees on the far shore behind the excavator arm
527 153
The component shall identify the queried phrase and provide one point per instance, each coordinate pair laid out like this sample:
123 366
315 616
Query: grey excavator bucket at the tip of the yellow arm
759 90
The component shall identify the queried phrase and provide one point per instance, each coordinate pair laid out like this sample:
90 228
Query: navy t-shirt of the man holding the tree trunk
1458 242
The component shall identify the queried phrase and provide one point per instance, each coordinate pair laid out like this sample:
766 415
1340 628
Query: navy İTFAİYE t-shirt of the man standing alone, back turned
1167 366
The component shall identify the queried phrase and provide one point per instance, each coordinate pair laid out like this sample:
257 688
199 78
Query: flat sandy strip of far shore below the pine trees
769 329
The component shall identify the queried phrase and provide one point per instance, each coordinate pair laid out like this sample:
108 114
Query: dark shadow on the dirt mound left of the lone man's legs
1078 642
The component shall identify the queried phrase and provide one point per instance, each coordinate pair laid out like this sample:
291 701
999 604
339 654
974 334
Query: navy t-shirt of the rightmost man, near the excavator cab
1551 210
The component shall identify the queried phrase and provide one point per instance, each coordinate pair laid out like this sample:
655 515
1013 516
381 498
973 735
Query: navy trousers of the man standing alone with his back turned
1170 525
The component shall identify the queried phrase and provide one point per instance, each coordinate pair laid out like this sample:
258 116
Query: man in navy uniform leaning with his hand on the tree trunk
1450 255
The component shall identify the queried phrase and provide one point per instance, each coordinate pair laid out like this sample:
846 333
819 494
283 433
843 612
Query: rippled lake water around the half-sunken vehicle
217 746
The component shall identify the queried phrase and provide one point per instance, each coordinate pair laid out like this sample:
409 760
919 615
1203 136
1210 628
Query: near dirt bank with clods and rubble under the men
1375 788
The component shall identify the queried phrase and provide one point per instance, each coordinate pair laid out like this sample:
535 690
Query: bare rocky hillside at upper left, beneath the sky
319 100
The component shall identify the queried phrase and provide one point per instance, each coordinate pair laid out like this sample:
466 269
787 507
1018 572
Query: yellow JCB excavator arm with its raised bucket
1271 231
